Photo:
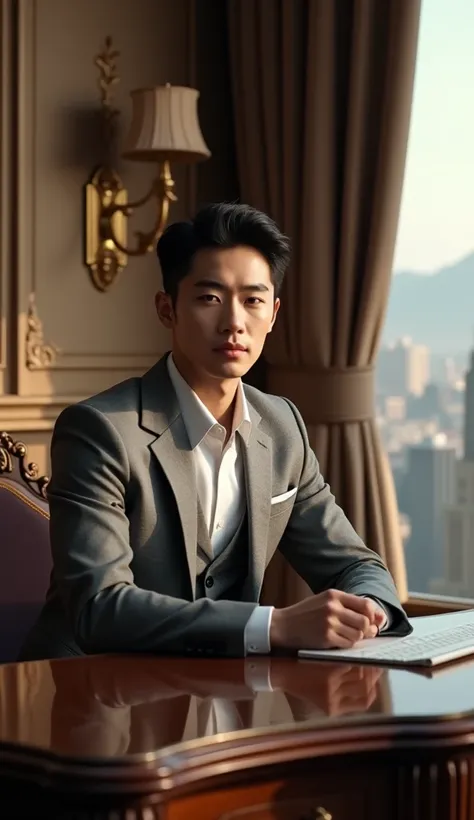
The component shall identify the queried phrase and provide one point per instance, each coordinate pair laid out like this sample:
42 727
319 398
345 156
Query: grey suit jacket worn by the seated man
124 527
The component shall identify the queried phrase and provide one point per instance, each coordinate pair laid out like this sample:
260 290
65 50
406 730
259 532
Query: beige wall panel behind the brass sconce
100 338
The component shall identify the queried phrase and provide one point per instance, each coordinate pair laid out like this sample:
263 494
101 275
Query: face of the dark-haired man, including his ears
224 310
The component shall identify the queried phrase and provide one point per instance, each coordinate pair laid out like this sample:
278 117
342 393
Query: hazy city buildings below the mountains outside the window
427 427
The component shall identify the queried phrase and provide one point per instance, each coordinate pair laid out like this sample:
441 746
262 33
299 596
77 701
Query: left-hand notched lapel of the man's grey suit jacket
161 414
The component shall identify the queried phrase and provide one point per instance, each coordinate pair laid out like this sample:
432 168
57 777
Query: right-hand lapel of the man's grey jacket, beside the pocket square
258 481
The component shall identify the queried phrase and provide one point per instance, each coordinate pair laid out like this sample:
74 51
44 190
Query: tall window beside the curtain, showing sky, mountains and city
425 372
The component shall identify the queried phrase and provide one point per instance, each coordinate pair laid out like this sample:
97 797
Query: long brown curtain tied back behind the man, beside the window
322 94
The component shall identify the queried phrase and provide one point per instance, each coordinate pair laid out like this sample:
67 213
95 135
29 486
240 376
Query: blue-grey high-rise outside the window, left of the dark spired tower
429 487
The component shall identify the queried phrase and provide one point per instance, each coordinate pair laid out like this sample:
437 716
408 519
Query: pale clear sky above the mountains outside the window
436 225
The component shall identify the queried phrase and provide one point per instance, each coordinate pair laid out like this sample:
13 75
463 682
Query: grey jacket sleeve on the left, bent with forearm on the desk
92 555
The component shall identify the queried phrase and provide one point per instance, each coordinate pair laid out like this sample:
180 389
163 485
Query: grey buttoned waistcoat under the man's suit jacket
222 577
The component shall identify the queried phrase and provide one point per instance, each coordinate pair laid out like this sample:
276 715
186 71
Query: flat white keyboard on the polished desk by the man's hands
428 650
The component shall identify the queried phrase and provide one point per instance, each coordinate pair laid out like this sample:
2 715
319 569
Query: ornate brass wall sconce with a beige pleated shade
164 129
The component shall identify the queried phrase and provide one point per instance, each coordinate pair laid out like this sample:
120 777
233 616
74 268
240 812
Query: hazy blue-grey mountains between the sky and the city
436 310
